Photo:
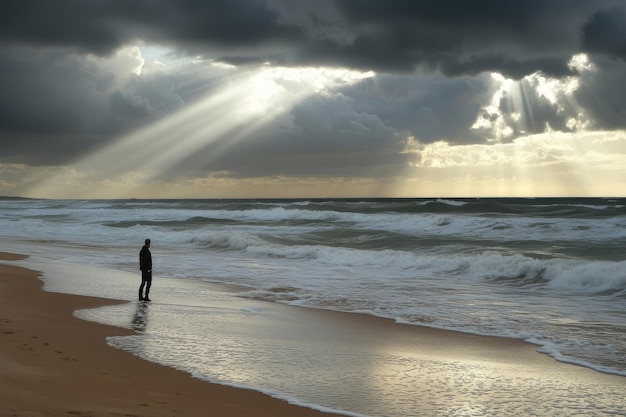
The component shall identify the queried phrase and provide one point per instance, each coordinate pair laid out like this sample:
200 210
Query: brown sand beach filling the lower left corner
55 364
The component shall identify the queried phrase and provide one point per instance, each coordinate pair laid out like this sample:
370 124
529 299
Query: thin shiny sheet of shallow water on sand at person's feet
333 361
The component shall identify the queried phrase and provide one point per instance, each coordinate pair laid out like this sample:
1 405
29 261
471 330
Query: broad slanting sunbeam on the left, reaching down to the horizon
234 111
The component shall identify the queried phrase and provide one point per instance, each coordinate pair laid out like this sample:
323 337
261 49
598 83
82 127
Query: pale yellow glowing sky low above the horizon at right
547 164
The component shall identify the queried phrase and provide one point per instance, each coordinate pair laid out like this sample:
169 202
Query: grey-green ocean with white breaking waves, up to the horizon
550 271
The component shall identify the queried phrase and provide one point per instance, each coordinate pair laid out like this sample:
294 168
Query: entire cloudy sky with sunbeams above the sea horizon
312 98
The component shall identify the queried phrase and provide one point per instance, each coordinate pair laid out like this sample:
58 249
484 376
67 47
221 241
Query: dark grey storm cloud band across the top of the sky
455 36
